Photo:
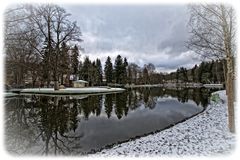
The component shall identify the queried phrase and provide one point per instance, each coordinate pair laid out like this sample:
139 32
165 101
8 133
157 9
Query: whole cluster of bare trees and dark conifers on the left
40 42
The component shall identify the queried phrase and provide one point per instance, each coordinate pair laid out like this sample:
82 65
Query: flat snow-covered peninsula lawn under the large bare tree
86 90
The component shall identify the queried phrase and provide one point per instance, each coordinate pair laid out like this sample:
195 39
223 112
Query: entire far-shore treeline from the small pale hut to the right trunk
122 72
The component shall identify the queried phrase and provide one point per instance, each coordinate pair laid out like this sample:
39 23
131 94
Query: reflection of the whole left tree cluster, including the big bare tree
48 126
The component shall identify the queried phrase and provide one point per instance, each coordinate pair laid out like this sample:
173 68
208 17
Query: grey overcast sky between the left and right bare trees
144 34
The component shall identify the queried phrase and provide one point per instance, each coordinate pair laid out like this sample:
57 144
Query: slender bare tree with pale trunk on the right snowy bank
212 35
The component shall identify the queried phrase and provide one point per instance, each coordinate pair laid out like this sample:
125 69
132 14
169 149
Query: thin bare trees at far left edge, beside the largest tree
21 60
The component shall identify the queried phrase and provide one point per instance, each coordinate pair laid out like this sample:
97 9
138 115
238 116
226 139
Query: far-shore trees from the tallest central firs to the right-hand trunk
123 73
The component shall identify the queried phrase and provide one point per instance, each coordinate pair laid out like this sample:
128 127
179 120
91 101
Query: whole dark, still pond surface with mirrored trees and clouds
70 125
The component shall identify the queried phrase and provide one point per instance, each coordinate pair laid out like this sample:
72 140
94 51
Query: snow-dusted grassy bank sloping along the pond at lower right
205 134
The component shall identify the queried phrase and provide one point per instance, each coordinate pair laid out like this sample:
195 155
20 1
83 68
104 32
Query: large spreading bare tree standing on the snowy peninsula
54 26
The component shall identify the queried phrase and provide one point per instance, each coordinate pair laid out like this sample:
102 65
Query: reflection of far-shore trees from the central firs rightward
134 98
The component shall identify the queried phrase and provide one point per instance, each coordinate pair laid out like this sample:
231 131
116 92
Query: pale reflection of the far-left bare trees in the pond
17 116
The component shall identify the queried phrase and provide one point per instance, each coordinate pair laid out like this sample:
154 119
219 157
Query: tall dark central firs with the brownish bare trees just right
123 72
